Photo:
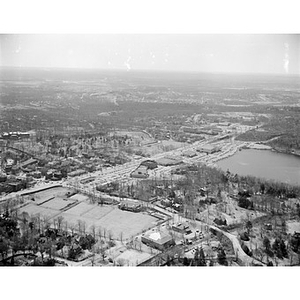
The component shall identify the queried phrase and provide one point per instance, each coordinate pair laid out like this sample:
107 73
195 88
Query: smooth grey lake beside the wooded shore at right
264 163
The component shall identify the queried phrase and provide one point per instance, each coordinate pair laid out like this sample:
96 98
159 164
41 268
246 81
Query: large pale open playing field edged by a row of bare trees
108 217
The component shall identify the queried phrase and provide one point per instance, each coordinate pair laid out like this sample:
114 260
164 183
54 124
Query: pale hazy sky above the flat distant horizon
230 53
